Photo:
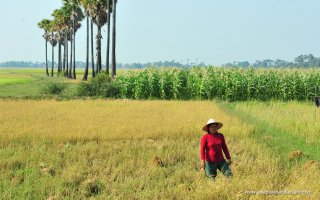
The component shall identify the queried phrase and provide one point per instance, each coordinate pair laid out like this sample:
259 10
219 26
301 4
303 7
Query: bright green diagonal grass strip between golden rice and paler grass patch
282 142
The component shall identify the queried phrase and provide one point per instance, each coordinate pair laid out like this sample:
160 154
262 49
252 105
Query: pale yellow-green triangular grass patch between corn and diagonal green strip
299 118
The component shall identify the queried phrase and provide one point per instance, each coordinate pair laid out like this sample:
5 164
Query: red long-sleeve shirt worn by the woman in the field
211 147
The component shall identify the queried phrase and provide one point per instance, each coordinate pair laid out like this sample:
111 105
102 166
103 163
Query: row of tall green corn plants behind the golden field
203 83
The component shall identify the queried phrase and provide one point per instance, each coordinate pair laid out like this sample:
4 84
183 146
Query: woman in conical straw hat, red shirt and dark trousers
211 147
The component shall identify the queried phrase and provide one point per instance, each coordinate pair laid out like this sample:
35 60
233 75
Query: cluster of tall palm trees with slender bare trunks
61 31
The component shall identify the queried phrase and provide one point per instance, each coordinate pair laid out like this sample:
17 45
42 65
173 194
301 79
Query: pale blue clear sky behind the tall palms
210 31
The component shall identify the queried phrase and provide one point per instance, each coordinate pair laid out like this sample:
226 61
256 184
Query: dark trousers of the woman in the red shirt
211 169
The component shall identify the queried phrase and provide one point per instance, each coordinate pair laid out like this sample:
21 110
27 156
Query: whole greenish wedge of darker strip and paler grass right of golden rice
273 127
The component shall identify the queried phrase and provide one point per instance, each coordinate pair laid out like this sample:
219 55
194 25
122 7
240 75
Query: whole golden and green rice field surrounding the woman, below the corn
130 149
